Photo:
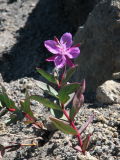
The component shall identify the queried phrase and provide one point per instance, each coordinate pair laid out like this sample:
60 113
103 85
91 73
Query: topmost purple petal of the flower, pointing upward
66 39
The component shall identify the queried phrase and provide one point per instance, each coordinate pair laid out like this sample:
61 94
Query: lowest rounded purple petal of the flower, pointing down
60 61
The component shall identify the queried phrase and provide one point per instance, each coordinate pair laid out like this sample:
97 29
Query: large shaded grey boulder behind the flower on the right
100 44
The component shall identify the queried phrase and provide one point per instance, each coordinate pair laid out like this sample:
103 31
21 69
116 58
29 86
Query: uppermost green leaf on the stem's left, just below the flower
46 75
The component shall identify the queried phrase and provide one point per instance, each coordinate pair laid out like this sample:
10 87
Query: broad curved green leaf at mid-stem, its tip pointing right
67 89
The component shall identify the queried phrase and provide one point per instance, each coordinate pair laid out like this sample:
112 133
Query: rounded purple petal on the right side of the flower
73 52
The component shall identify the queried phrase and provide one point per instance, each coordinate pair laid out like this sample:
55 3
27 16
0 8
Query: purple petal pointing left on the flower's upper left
51 45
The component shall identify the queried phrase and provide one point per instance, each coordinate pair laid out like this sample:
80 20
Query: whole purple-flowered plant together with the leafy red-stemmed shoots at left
68 97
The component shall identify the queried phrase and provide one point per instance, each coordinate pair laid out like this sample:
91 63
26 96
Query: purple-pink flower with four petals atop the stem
62 50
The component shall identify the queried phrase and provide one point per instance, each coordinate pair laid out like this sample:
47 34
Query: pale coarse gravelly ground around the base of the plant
105 142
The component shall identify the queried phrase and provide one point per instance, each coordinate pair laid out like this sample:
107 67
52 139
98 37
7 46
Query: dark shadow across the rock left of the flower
46 20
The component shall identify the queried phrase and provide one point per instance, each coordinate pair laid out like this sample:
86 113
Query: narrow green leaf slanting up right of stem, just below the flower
69 74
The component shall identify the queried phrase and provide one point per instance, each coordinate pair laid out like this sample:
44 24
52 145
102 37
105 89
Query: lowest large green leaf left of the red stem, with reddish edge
63 126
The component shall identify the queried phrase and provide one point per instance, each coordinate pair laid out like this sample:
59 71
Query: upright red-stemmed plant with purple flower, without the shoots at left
64 119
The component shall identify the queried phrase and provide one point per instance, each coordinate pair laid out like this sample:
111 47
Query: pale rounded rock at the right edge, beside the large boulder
109 92
